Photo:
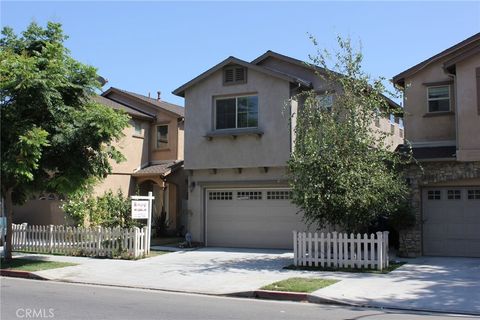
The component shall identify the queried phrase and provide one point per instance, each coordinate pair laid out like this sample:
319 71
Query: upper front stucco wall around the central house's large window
272 149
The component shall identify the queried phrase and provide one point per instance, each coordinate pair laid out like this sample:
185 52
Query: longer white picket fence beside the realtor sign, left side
96 241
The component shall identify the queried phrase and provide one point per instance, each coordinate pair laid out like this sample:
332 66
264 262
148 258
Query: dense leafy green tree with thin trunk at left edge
54 137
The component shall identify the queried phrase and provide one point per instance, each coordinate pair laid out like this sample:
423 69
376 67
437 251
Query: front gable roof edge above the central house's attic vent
232 60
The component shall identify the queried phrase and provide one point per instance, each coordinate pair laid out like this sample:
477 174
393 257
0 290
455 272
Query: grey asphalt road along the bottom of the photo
34 299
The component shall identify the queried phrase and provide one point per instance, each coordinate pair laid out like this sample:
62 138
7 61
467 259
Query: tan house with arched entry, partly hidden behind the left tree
153 147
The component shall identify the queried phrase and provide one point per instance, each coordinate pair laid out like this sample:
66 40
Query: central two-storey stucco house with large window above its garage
238 139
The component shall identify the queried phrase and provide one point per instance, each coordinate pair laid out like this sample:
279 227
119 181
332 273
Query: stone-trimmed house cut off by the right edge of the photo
442 123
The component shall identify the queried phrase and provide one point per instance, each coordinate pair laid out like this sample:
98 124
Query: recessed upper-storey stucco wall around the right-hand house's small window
419 125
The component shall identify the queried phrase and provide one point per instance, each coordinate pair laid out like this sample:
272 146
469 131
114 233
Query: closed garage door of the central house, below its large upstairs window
251 218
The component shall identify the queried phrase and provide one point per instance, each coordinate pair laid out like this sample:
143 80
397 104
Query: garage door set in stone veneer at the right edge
451 221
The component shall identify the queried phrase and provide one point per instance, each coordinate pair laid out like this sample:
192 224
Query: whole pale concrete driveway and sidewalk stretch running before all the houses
428 283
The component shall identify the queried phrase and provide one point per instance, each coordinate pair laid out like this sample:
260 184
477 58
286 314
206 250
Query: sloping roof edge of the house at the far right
470 44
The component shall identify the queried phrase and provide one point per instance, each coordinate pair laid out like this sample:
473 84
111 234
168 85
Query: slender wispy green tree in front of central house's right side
342 172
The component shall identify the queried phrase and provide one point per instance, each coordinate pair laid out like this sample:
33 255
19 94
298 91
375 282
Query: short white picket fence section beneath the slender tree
339 250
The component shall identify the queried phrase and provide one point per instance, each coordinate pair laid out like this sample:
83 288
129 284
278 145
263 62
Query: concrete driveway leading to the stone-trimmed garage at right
426 283
